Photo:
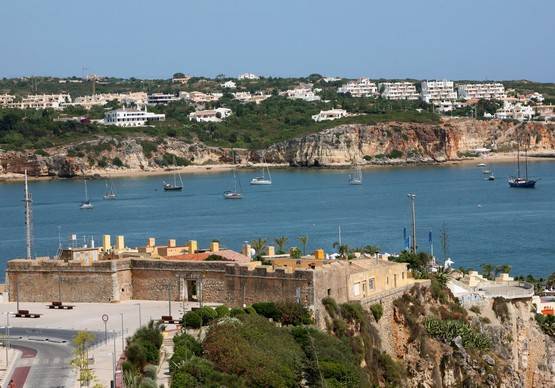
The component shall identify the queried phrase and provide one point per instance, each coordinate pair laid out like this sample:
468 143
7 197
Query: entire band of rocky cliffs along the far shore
381 143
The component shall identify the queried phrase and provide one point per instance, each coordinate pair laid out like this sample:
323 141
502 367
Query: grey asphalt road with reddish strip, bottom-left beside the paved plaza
47 354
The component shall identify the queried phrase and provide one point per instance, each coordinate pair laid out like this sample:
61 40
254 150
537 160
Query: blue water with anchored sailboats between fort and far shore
483 221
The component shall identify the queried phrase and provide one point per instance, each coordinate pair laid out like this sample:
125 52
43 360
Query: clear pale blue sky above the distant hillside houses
426 39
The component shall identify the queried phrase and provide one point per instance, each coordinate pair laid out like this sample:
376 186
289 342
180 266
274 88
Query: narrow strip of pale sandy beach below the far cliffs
508 157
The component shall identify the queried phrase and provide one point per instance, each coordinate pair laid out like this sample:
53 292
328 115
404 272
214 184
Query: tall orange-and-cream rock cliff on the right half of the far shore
409 142
